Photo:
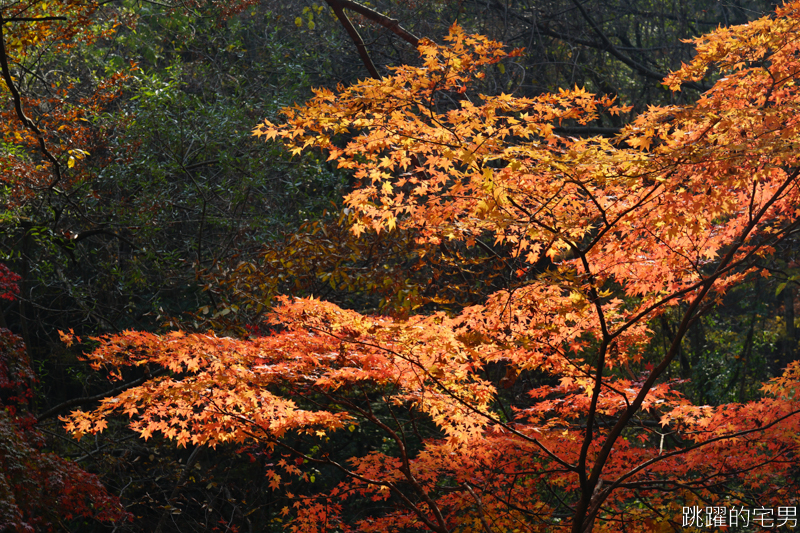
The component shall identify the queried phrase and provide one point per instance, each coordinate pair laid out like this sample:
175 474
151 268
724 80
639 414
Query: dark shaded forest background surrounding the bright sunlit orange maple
135 198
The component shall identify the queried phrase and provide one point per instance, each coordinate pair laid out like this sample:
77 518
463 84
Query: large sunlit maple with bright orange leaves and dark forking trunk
610 234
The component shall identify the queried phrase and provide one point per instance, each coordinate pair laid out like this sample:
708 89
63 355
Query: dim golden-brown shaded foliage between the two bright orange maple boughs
387 271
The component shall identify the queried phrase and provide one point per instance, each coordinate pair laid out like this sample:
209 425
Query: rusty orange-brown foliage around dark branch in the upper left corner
43 151
